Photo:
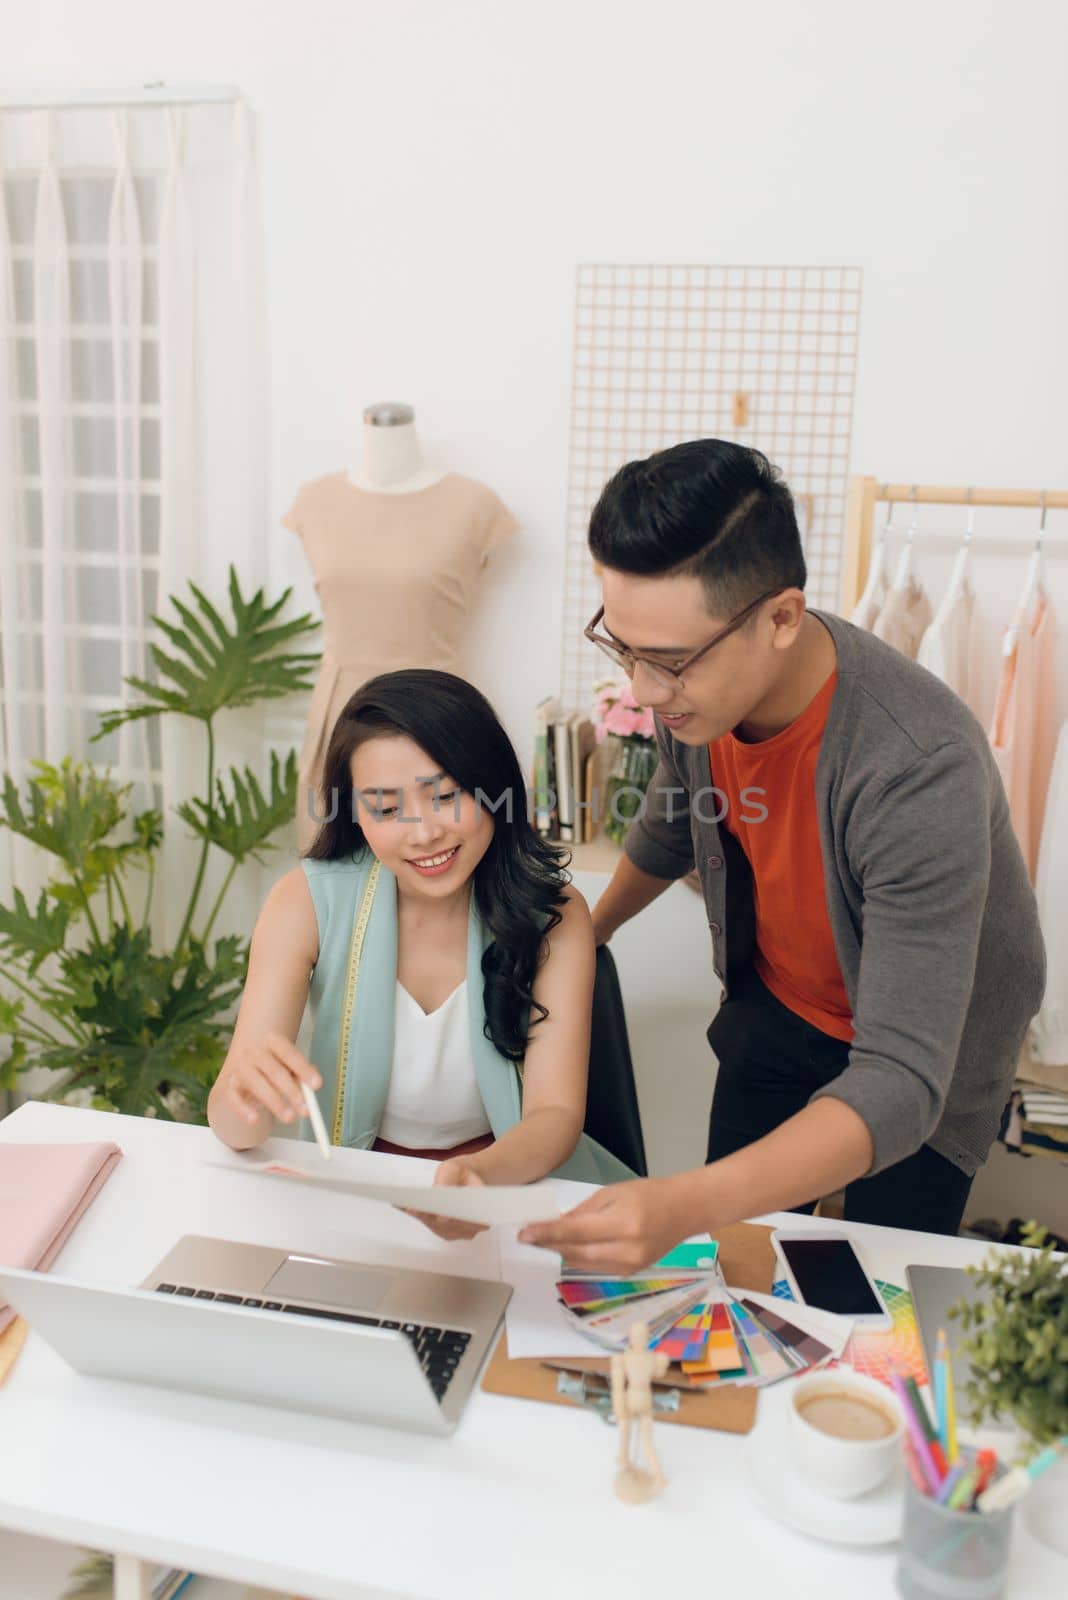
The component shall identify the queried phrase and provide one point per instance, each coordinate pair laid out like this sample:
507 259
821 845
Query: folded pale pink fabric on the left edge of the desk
44 1193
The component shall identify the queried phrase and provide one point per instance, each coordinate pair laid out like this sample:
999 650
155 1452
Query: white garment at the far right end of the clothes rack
1048 1041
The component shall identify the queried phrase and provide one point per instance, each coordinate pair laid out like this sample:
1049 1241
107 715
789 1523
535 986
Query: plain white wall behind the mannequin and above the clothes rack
434 172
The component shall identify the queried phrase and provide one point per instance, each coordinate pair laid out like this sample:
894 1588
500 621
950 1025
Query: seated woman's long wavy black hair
519 884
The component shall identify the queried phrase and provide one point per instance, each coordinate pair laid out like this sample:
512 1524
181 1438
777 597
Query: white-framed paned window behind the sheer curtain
89 585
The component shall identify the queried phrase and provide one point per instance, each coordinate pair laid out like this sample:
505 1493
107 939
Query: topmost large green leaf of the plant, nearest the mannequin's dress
221 666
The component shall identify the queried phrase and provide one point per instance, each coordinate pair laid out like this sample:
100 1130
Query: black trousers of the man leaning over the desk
771 1063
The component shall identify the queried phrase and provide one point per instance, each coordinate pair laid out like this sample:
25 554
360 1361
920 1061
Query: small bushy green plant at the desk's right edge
1018 1338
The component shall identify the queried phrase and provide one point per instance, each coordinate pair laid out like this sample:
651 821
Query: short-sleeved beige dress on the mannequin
396 577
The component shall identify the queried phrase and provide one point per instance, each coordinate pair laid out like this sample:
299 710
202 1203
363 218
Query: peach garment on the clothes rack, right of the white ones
1024 730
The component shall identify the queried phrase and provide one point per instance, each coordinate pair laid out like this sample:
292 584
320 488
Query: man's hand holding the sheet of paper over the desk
623 1228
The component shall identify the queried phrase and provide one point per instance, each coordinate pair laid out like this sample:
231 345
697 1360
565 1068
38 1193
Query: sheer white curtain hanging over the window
133 436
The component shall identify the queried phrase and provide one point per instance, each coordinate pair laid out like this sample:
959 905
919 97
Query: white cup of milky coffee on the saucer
845 1433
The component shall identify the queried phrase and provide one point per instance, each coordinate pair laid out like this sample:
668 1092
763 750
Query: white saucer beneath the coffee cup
783 1492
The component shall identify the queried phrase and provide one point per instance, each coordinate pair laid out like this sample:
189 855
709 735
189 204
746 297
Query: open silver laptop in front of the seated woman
309 1334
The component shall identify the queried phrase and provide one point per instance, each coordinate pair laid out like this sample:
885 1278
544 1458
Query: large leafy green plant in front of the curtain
84 991
